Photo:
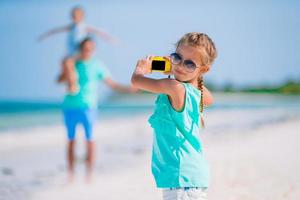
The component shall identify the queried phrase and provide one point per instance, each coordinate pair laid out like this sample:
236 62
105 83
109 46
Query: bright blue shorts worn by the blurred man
86 117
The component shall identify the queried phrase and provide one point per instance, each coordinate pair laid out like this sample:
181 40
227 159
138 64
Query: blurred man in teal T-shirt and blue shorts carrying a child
81 108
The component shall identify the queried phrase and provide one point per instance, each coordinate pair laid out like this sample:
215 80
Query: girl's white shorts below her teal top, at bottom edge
185 194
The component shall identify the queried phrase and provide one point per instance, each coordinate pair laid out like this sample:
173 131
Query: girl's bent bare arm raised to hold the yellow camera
170 87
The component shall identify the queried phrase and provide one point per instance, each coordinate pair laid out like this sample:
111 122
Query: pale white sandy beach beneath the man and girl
255 161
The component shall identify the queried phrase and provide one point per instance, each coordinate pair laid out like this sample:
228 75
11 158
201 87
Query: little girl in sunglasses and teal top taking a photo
178 163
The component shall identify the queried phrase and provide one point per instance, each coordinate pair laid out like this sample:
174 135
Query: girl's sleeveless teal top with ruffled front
177 156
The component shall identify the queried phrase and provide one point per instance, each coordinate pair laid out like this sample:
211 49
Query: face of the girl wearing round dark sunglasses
188 55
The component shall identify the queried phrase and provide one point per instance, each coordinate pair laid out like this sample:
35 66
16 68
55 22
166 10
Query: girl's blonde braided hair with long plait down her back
207 53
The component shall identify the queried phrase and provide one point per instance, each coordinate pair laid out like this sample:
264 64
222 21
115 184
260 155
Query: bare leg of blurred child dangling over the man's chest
68 74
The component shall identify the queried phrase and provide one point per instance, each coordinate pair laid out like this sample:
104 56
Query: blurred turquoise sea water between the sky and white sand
252 109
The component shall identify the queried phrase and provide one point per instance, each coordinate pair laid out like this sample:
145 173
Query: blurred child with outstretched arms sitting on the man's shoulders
77 31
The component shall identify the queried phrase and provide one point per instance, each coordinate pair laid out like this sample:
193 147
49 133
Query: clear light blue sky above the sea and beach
257 41
